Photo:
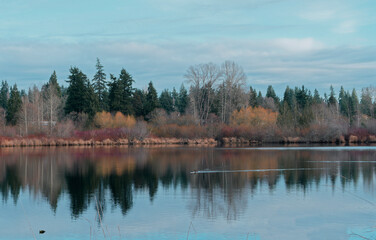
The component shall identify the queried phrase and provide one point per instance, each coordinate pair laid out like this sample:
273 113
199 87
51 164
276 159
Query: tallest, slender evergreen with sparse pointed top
100 86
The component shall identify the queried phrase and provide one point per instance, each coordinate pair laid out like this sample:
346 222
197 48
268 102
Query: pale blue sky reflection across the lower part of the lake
323 212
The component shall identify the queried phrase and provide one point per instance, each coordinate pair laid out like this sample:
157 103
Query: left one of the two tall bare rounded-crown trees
202 78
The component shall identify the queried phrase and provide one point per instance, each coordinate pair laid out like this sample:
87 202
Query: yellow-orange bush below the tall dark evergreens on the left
106 120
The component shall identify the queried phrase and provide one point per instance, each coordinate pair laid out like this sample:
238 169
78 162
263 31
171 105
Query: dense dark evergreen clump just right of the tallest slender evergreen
120 93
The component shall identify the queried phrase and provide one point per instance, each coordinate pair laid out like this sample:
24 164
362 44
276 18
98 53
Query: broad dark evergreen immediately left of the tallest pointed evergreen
81 97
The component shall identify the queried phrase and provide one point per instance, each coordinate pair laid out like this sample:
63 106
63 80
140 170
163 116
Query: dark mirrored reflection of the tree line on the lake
88 175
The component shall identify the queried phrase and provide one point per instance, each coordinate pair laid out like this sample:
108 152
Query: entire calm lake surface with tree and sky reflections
188 193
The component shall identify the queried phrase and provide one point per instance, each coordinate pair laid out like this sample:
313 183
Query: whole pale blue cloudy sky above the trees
277 42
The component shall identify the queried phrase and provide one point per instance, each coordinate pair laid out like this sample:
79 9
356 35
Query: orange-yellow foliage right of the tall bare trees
254 117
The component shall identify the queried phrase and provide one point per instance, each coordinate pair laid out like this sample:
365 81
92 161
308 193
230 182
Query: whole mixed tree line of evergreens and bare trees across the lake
217 99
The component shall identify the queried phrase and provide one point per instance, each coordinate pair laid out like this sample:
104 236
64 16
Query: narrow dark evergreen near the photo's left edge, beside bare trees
14 106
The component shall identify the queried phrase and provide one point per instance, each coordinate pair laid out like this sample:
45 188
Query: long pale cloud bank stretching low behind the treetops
280 61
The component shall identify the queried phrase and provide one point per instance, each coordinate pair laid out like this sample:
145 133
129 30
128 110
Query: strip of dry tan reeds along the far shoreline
200 142
